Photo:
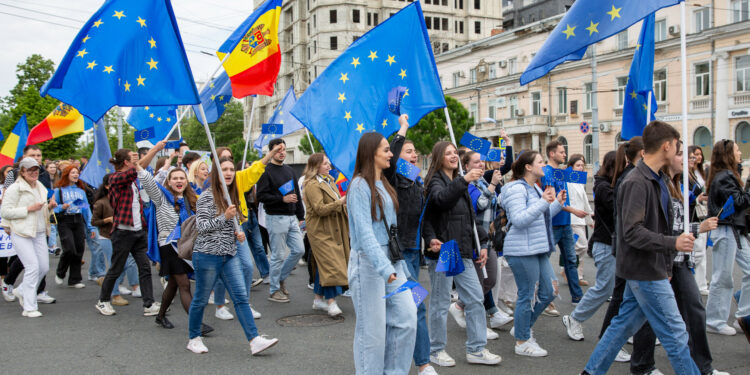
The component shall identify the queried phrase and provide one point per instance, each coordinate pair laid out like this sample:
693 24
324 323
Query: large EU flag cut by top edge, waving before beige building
587 22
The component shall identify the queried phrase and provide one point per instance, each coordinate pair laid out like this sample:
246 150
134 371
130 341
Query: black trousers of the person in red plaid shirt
126 242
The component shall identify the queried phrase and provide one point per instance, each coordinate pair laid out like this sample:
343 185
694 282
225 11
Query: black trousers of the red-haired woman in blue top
73 244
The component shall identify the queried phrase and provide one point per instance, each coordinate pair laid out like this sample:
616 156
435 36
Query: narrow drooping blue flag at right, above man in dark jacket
640 84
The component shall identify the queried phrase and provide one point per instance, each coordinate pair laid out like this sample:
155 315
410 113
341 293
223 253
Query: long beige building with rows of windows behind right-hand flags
484 77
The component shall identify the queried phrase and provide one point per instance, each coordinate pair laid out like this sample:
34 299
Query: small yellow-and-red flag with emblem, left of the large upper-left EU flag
63 120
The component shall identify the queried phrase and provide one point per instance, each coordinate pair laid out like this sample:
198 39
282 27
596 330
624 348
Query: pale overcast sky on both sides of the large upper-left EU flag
47 27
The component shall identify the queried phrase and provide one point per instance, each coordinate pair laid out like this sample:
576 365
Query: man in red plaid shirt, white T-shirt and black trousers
128 236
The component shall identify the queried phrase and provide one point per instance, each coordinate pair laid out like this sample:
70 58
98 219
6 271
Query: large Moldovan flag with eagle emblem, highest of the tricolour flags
254 56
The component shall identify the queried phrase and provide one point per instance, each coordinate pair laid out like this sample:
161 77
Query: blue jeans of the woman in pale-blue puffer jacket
528 271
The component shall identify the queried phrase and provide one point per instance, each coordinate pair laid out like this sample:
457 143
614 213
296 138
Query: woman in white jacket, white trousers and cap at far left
25 212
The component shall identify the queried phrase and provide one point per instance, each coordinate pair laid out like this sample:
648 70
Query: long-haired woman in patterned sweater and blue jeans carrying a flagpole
214 257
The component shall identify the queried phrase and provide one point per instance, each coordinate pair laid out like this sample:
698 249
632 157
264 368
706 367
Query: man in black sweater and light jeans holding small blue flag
285 215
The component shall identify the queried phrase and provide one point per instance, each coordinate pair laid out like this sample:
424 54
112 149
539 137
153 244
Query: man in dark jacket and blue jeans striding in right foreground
646 250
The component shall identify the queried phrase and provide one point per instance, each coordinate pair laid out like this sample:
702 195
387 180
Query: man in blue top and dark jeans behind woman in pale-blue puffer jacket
561 228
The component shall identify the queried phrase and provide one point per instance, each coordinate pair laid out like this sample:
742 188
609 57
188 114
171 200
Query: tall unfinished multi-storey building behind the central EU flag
312 33
